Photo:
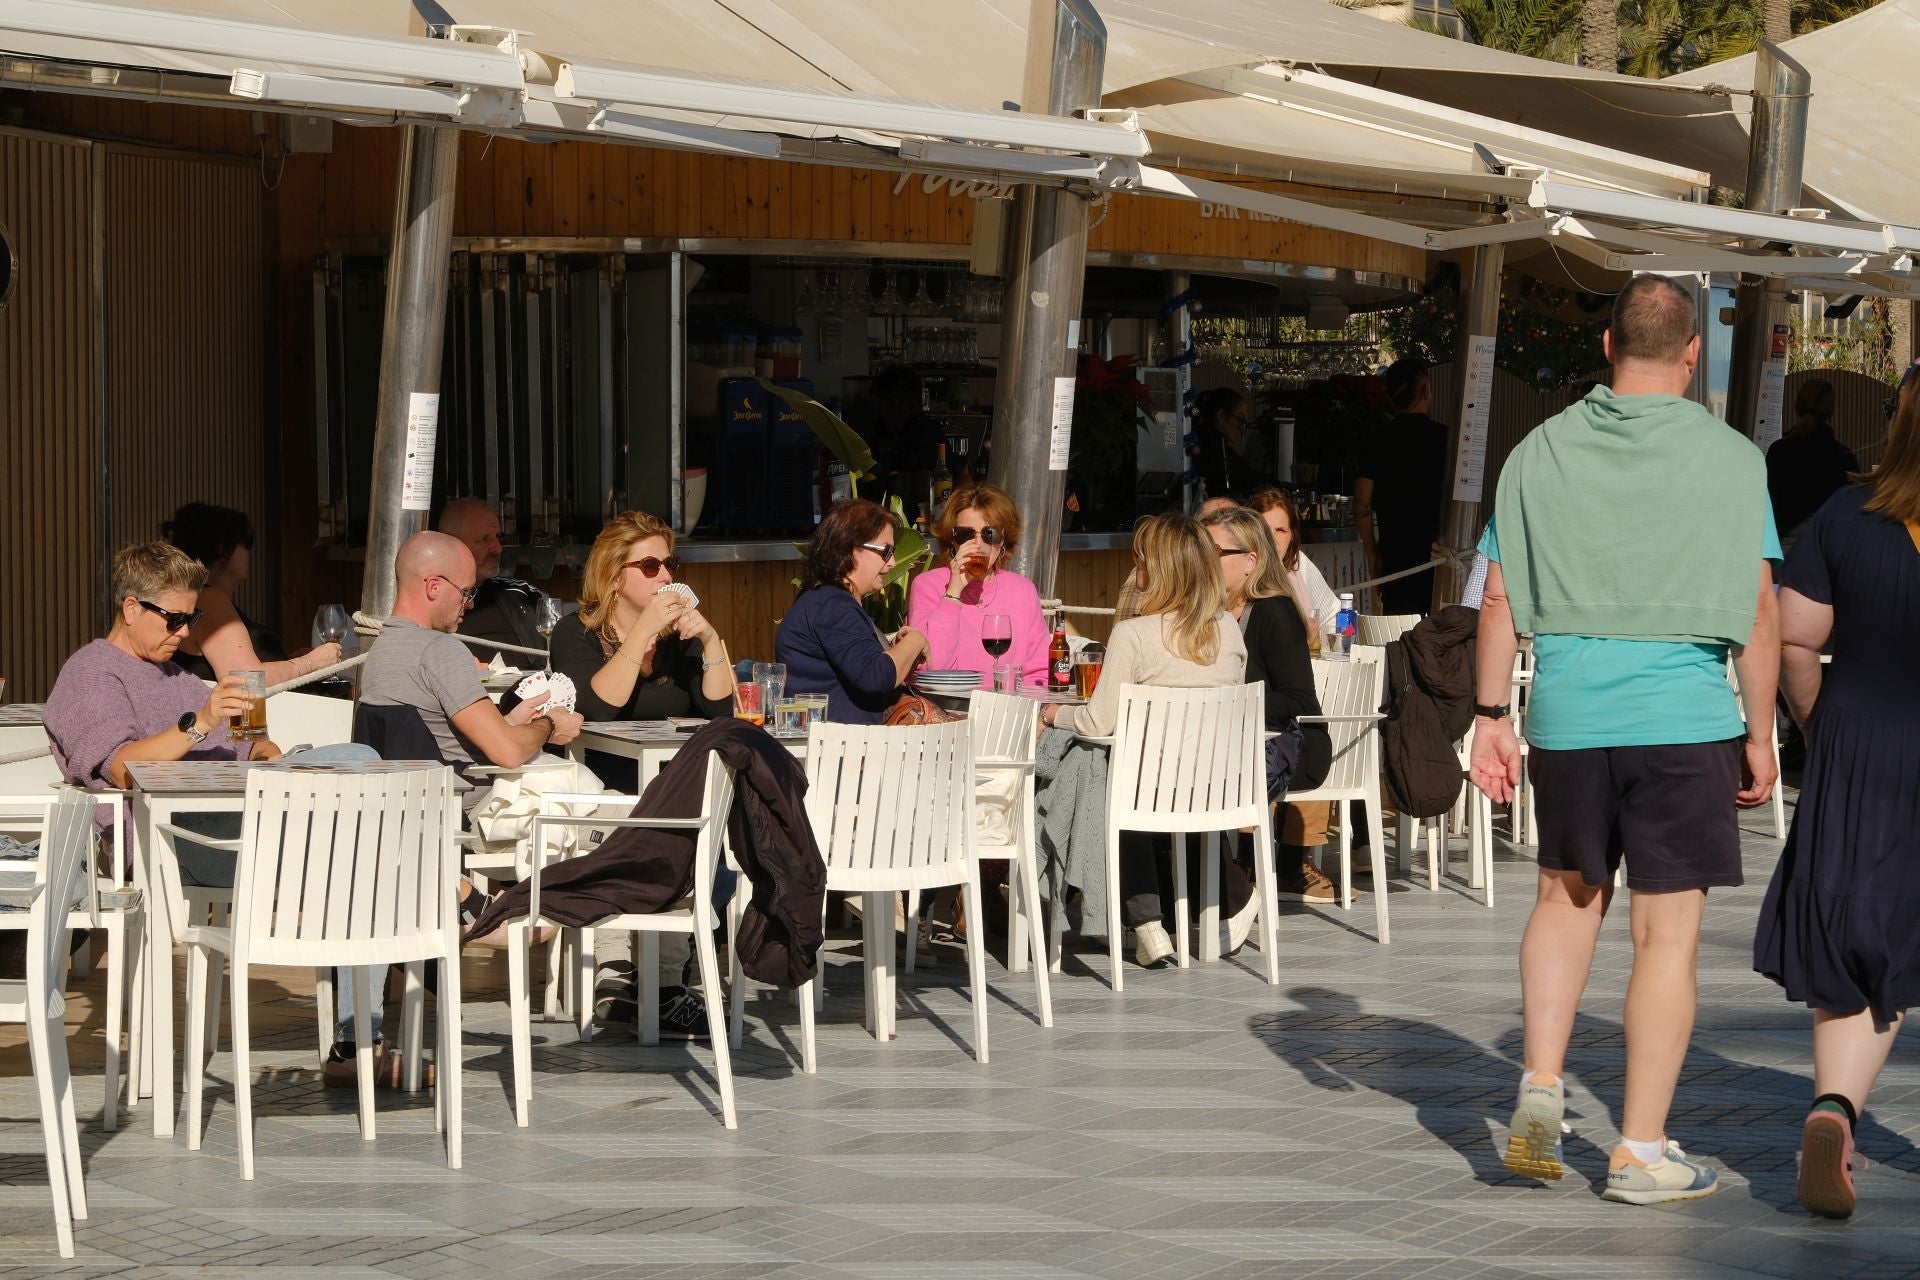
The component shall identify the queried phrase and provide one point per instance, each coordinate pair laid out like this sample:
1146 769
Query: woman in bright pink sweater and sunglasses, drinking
980 529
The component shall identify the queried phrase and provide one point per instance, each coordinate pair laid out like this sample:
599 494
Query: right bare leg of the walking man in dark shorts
1660 1007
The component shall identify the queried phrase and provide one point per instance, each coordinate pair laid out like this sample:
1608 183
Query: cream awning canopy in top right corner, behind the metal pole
1861 118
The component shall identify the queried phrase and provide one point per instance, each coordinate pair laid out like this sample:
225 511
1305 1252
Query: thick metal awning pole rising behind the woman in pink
1047 273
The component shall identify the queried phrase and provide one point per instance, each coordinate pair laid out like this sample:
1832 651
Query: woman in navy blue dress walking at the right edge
1840 922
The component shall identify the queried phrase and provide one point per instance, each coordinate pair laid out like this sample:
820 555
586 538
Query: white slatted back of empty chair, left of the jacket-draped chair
347 868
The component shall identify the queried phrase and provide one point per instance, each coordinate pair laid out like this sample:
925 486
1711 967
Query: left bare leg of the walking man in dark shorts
1556 960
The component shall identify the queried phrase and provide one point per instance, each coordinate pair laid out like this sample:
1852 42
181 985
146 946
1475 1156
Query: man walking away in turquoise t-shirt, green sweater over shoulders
1633 538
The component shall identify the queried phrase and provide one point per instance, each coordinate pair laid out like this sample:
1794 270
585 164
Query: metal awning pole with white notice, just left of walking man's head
1479 327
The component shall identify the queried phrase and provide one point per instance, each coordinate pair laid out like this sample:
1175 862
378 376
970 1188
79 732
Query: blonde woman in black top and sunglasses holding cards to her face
640 648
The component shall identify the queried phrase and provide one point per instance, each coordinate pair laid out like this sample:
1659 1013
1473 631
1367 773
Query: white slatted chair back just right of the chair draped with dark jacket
892 807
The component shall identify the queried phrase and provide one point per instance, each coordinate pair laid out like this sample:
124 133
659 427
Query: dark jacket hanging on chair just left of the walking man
1429 709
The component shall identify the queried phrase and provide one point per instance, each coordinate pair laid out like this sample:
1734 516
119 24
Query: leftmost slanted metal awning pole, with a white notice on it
410 352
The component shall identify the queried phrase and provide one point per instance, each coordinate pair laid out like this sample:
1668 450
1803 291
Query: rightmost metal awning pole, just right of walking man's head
1775 158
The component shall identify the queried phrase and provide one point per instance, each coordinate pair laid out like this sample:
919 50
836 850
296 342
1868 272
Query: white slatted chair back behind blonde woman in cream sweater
1188 759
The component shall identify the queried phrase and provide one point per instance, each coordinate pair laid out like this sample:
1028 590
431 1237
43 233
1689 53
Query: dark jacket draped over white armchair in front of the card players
638 872
